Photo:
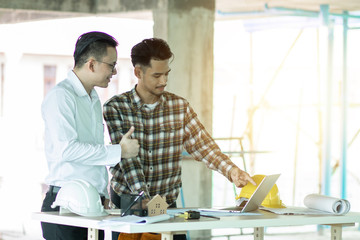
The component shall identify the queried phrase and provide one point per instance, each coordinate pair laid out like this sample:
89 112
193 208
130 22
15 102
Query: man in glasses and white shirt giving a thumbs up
74 131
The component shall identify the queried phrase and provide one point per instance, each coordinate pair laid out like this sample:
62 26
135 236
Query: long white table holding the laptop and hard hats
168 228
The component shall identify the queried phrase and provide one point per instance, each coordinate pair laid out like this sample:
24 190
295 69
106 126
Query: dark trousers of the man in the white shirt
61 232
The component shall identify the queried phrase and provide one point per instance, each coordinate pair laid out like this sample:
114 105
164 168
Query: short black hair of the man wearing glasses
92 44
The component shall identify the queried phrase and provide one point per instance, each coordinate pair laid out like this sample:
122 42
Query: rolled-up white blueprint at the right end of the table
327 204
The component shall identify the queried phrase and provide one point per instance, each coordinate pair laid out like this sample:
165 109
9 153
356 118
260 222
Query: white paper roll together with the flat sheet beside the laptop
315 204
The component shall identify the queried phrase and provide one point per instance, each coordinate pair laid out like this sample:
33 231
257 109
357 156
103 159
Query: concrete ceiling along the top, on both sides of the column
29 10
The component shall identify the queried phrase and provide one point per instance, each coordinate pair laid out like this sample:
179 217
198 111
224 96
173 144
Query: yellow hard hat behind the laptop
272 200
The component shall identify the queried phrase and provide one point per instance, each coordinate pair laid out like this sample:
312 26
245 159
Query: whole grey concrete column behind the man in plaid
188 27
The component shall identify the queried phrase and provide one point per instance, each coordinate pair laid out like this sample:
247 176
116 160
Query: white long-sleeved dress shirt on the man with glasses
74 136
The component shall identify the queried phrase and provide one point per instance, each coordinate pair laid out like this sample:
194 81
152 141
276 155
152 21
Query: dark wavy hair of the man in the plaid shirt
151 48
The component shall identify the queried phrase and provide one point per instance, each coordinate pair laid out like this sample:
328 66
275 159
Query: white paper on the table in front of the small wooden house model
132 219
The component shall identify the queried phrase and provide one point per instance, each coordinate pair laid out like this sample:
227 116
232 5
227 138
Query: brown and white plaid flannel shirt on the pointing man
162 133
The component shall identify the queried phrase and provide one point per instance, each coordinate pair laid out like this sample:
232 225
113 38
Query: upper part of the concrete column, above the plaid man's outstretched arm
190 32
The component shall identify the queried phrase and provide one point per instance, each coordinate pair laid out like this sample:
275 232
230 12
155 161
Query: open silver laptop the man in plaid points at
256 198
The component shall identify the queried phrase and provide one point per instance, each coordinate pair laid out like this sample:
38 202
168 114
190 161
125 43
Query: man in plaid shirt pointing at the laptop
164 124
